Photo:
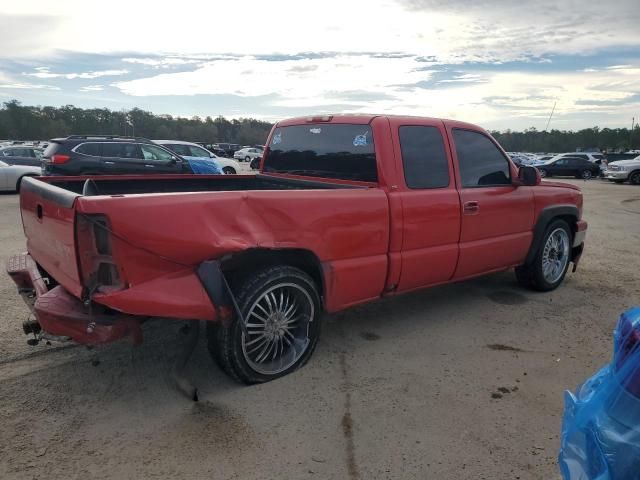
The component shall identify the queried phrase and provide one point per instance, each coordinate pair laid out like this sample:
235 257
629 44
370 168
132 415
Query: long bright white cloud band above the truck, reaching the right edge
365 83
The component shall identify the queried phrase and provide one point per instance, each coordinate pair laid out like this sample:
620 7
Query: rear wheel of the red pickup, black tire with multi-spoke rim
281 308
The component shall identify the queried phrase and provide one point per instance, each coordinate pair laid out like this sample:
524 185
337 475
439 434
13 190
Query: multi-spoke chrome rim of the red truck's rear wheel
277 328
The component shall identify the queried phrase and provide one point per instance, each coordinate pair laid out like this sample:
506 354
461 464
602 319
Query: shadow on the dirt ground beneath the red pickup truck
109 371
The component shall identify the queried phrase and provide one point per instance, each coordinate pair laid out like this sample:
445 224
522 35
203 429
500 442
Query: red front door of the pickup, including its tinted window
497 215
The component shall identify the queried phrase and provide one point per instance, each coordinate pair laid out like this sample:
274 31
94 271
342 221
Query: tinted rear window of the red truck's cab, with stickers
340 151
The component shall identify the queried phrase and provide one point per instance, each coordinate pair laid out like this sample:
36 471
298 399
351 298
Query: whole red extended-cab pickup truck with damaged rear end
346 209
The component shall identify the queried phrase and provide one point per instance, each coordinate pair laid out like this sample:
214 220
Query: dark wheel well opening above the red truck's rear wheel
238 266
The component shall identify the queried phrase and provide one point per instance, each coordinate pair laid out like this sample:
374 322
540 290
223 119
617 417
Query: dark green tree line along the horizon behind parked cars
21 122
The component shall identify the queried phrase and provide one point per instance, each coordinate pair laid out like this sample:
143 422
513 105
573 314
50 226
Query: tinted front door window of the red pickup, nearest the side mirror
481 163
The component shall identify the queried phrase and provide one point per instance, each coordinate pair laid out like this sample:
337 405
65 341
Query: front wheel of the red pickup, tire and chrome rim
550 265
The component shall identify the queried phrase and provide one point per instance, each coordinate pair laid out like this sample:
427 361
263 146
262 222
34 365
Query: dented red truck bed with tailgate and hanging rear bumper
138 256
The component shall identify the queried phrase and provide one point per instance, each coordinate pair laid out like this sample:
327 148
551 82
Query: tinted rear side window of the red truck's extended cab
423 157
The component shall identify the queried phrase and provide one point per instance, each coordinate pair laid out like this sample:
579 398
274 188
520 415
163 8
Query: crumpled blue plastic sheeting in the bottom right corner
601 424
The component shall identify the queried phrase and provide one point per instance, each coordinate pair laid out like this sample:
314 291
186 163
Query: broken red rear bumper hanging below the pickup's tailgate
61 314
